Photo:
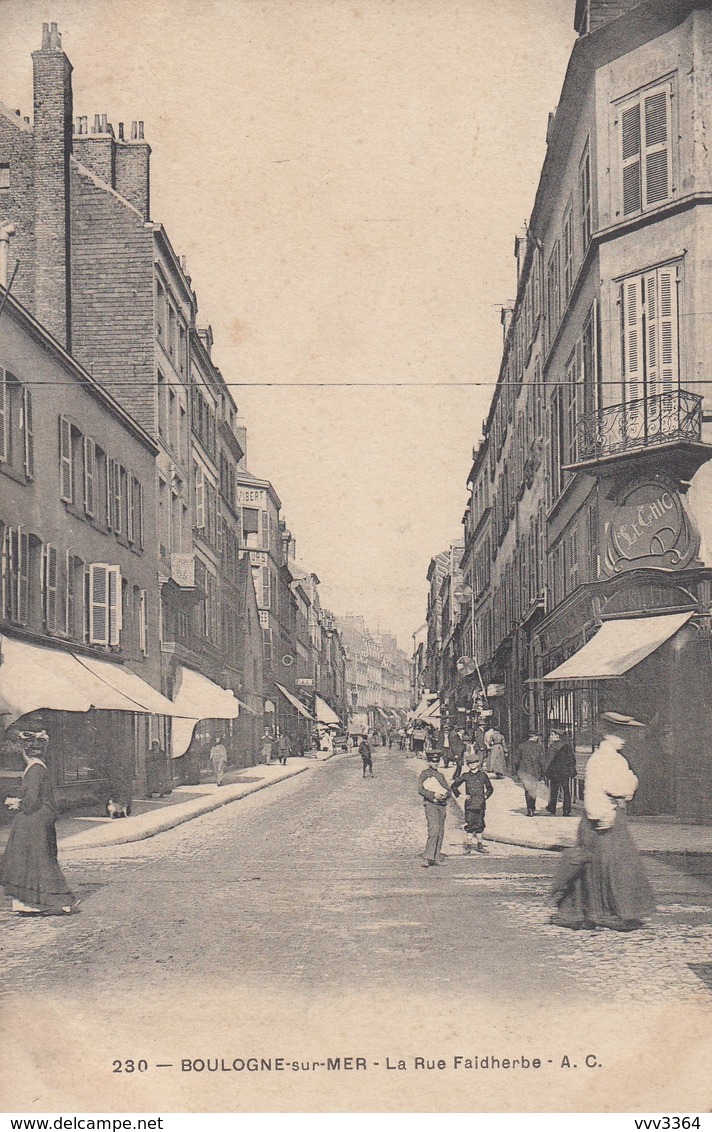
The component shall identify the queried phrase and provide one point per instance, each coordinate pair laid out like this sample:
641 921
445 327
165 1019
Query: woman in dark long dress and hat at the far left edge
30 871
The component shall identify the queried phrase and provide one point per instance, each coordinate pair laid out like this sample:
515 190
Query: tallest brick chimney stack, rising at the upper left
53 144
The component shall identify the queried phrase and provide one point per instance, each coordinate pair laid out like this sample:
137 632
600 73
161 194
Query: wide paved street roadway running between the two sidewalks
310 901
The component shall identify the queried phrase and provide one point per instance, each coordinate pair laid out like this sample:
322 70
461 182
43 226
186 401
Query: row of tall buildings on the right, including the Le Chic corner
584 579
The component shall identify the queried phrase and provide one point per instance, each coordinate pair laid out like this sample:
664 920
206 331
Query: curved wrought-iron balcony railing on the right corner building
636 425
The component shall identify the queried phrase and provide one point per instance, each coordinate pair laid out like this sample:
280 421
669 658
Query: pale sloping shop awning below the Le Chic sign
619 647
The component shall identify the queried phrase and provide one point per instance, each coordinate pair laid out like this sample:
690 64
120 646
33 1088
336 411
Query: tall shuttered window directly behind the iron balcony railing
649 330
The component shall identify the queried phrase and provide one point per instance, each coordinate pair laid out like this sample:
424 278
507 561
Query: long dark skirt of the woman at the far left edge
30 871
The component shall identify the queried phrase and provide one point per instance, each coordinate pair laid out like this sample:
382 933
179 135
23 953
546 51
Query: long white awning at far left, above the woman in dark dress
33 678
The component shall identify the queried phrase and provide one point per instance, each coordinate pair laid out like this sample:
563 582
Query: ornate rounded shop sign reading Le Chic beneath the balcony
650 527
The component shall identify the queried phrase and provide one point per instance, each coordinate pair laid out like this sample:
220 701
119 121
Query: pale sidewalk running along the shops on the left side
92 830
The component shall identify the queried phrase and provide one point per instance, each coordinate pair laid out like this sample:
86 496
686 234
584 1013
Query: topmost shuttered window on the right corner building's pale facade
645 126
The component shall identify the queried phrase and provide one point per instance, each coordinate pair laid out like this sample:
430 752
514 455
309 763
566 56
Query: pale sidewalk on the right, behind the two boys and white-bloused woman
508 822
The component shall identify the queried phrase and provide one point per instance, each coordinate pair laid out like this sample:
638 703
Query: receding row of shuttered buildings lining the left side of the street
149 580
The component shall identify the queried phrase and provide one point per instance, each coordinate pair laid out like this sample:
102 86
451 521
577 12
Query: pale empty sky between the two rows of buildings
346 179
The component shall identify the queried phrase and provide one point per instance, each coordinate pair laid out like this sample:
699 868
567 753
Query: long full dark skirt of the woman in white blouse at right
603 882
